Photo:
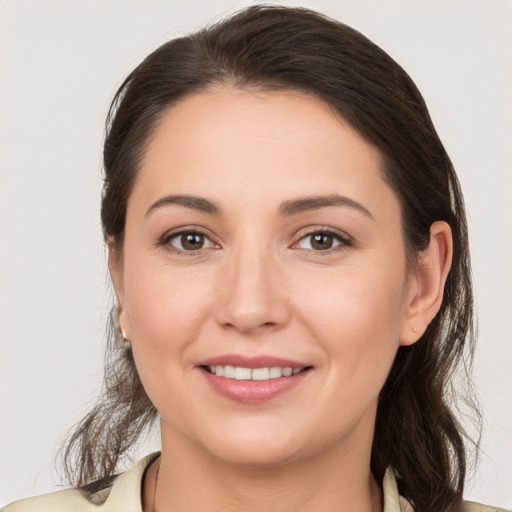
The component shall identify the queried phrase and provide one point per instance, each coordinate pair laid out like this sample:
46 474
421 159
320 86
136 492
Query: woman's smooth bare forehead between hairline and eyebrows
248 143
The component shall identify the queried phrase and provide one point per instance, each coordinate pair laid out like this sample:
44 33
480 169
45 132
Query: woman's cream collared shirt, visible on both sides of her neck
124 495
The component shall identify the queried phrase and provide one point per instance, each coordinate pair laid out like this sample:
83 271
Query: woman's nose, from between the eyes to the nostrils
252 294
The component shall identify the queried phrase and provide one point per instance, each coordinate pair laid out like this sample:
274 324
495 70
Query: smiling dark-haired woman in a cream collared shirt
288 247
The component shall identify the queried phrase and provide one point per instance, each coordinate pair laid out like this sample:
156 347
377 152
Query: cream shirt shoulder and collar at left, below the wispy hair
110 495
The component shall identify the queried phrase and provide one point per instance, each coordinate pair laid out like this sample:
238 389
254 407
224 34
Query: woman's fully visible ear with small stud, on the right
426 286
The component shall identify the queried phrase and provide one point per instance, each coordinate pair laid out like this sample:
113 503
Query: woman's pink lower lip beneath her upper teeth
253 391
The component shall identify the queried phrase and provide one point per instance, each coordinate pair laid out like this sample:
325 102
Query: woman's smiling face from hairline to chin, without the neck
261 237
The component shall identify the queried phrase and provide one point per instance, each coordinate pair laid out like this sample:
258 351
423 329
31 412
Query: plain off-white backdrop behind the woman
61 62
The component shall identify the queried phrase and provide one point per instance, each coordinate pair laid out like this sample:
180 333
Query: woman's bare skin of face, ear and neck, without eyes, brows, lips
258 287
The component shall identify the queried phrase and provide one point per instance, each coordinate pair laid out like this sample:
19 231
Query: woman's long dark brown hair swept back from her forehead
272 47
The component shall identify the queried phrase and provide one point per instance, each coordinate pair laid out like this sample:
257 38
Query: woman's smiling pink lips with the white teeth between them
252 380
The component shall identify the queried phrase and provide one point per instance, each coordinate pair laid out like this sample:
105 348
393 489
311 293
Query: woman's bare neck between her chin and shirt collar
191 480
